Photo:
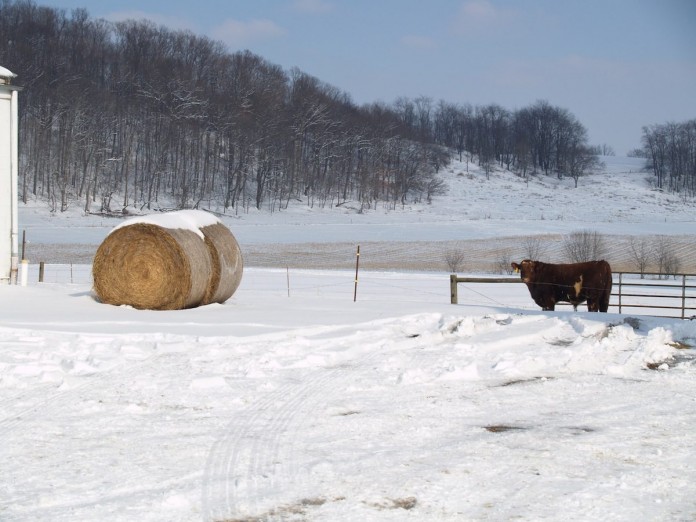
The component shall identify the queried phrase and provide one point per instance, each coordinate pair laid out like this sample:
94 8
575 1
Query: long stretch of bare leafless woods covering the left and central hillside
129 114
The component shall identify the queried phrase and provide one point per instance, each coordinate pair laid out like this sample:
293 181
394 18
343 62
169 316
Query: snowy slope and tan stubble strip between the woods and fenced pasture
479 215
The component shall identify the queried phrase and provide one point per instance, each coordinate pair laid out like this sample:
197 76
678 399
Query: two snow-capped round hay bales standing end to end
168 261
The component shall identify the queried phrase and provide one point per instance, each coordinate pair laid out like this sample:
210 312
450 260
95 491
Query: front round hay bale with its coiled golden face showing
151 267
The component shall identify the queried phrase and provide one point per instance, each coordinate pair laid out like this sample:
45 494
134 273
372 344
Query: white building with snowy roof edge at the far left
9 157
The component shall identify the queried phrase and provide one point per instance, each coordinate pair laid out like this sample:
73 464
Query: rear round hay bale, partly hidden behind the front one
227 263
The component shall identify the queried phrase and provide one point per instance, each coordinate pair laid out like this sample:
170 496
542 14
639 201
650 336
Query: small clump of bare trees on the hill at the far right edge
671 152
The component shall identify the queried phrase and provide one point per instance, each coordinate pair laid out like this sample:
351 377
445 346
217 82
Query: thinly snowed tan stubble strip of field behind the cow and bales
481 256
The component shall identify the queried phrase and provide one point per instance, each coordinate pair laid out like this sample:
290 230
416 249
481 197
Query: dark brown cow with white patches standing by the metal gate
573 283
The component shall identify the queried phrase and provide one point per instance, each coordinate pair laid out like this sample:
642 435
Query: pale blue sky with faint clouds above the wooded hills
615 64
